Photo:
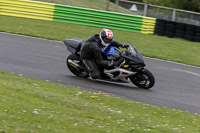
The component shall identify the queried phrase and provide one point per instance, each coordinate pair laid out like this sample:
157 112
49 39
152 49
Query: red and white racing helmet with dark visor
106 37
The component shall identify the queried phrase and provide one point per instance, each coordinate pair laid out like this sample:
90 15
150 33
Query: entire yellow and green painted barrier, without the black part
77 15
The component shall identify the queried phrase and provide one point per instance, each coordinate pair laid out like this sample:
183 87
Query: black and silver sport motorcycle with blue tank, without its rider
132 68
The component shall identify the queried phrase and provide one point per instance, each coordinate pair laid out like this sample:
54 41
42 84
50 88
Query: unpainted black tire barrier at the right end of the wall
177 30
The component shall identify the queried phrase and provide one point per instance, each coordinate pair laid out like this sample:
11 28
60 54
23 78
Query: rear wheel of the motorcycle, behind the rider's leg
76 71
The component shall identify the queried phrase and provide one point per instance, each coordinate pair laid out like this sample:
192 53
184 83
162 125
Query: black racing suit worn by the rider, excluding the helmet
92 57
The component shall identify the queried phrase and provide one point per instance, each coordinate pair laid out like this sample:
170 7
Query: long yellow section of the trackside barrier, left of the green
27 9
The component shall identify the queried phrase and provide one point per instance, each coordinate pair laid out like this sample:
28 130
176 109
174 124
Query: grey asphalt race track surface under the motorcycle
177 85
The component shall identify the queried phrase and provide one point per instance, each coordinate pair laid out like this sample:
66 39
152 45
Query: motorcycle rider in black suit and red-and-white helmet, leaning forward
91 52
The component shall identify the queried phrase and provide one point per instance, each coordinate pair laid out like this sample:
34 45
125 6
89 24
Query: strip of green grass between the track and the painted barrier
177 50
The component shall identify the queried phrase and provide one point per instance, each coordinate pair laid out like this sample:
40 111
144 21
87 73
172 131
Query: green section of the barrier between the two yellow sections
97 18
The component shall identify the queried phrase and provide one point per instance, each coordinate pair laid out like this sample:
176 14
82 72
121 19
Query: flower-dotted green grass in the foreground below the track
31 105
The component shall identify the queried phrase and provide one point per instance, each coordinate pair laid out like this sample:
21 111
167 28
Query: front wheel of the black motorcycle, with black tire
143 79
